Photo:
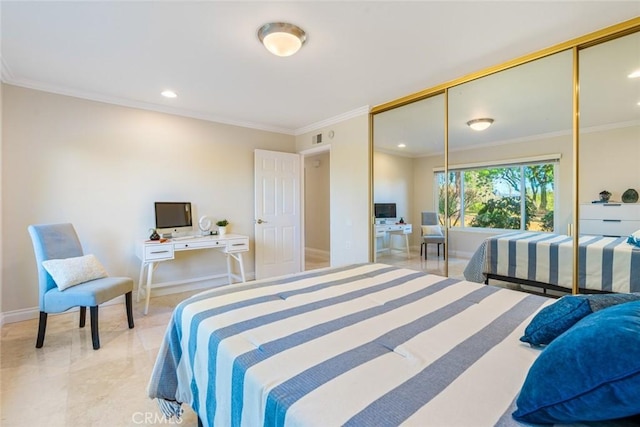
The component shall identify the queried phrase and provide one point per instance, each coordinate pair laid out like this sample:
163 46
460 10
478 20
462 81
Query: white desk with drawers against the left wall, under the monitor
151 253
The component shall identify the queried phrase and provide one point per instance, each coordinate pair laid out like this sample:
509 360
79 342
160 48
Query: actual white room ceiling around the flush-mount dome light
358 54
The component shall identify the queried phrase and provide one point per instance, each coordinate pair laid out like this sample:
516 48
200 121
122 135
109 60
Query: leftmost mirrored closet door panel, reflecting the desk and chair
408 143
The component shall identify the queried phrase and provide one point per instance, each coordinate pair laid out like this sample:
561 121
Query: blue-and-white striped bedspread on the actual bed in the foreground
360 345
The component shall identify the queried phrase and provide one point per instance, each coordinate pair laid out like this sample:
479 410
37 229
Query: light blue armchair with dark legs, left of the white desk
58 242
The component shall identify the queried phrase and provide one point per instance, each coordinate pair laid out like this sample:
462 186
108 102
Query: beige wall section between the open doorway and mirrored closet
349 176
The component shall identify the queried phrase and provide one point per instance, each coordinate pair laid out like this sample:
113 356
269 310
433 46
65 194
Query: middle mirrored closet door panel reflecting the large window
510 161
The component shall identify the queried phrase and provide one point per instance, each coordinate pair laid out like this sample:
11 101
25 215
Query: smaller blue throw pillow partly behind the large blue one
558 317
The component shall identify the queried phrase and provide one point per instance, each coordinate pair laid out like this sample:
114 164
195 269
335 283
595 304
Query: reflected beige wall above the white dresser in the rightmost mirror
609 160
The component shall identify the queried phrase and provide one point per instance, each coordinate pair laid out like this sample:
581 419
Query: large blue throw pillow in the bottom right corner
589 373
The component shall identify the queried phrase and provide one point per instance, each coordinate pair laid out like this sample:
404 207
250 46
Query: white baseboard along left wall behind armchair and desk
159 289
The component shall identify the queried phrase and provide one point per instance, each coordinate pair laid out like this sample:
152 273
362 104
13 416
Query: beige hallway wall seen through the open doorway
317 202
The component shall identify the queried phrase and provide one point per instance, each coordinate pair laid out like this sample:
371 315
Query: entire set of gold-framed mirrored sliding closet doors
543 151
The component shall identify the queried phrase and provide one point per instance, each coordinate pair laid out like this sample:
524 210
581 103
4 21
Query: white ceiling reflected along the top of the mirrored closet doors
528 102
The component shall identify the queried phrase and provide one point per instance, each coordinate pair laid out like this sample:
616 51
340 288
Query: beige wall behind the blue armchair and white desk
102 166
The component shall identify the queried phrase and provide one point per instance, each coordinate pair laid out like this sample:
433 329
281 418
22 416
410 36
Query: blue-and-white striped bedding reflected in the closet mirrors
605 263
